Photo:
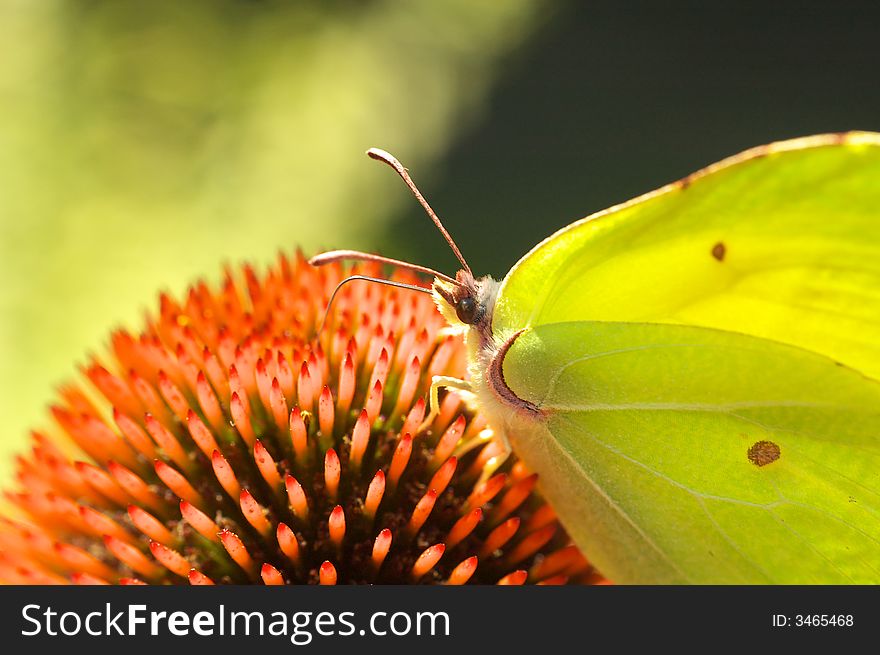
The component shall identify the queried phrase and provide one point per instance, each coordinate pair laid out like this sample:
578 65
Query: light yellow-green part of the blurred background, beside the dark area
143 144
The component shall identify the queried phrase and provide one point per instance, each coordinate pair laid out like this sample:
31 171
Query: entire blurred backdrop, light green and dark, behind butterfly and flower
144 144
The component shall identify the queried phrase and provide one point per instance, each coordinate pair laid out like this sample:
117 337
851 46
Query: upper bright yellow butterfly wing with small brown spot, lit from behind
781 242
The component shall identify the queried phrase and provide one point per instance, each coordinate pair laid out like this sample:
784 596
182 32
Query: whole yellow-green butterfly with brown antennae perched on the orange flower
695 374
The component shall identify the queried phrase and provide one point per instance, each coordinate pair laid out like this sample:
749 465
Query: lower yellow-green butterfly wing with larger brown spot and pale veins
680 454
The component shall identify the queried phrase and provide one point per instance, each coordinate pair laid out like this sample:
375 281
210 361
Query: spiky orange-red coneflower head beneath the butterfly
231 443
